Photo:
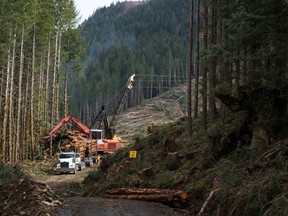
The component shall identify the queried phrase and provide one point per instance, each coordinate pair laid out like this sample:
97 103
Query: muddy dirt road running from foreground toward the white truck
69 187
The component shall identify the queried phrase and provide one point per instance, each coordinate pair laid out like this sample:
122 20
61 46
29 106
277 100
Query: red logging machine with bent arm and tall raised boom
108 144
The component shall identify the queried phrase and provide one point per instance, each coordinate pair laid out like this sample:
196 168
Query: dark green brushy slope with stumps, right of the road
246 179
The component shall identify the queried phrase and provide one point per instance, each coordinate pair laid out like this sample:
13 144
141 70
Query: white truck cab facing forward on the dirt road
70 162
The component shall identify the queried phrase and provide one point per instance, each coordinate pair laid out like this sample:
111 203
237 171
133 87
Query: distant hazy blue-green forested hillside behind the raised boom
146 38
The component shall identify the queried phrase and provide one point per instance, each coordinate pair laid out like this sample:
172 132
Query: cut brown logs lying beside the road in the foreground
173 197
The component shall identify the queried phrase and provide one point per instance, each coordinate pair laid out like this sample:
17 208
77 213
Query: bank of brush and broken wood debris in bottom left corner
22 196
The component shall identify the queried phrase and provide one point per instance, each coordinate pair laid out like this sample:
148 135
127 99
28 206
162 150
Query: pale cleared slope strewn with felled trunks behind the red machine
162 109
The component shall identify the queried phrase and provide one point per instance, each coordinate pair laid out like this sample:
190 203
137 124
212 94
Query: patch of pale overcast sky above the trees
87 7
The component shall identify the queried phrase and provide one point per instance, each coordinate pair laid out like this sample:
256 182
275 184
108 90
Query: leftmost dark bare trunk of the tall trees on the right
190 69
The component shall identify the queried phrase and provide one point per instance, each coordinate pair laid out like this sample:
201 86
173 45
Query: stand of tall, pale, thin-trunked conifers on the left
39 45
